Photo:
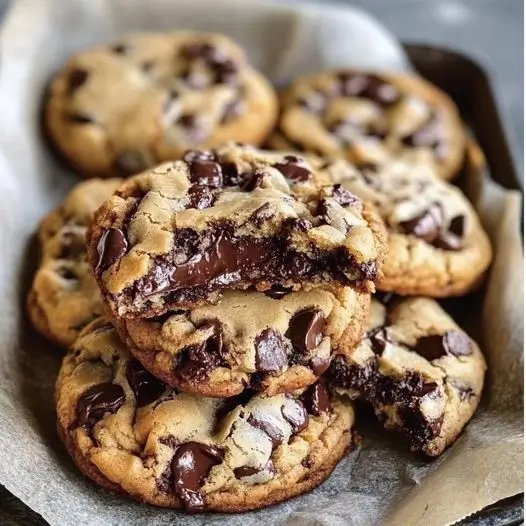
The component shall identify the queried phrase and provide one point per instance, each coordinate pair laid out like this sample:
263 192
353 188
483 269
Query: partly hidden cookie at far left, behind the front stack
64 296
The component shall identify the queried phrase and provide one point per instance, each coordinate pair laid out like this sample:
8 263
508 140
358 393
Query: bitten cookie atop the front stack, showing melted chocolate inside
173 237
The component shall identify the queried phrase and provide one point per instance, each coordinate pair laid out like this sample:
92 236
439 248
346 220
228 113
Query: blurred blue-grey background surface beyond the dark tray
488 31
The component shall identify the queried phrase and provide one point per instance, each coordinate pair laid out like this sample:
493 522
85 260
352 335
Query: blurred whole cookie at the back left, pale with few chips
124 107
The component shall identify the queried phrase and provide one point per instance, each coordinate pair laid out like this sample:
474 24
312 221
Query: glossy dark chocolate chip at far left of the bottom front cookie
97 401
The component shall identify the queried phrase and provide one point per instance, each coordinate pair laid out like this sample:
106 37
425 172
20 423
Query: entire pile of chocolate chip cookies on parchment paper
218 307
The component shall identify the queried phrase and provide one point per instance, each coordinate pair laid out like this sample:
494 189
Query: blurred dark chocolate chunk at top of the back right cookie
372 87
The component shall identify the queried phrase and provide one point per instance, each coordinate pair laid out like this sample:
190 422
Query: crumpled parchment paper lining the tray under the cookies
377 483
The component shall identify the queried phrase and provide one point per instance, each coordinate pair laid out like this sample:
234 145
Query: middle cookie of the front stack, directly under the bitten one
273 342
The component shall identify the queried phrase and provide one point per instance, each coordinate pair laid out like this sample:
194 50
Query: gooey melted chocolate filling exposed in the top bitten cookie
200 265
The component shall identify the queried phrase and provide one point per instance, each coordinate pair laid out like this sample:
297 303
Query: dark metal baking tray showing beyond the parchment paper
468 85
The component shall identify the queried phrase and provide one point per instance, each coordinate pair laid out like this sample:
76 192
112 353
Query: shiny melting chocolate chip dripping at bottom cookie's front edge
190 465
